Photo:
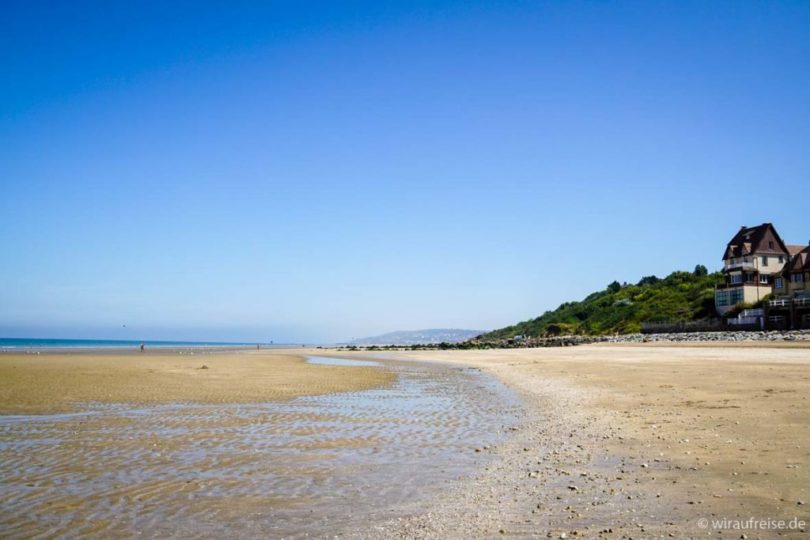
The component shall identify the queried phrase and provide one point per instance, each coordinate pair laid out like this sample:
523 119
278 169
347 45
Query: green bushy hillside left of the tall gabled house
681 296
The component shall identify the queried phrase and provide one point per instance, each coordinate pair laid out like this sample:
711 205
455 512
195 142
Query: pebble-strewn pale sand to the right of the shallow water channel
636 442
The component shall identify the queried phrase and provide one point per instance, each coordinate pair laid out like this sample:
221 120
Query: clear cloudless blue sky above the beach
317 171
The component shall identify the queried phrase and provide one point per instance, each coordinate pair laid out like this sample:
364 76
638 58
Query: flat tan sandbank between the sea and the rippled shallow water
57 382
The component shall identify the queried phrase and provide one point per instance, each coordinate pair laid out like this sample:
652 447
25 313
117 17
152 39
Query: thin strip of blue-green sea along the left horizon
38 343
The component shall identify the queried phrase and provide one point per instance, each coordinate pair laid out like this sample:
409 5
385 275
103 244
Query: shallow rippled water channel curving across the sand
311 466
